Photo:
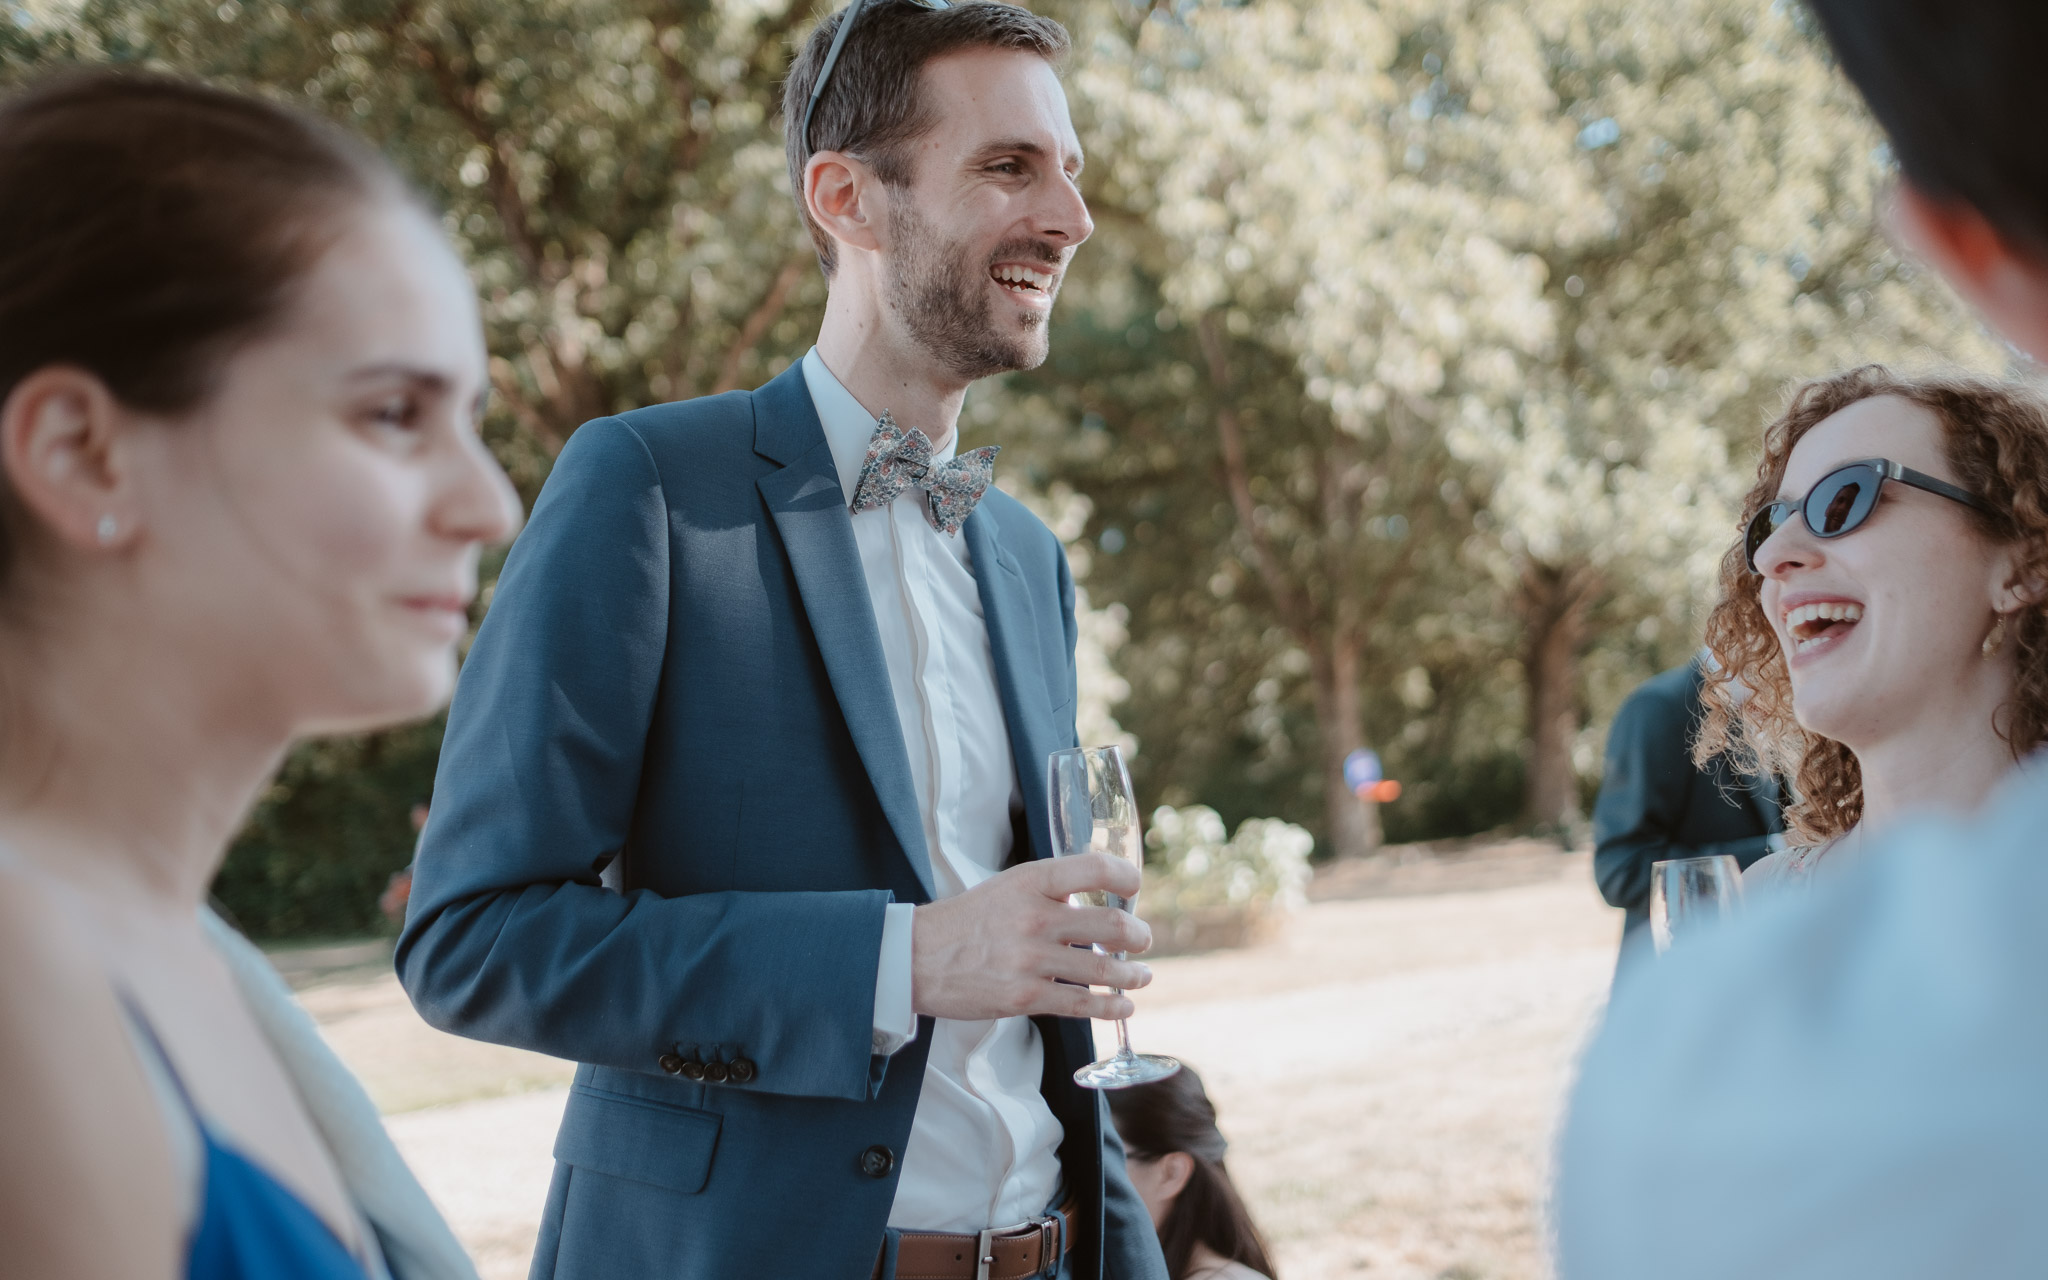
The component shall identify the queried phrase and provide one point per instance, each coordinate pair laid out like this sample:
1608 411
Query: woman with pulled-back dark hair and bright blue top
241 503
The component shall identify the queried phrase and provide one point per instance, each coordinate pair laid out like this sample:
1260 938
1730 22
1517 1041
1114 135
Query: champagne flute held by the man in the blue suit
1095 810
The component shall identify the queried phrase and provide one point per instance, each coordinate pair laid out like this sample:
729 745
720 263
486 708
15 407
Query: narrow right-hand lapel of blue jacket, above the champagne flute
1007 609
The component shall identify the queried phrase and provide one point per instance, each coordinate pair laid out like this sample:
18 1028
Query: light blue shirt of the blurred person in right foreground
1848 1082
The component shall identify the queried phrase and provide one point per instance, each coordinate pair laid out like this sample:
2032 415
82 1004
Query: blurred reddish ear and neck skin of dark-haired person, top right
2006 284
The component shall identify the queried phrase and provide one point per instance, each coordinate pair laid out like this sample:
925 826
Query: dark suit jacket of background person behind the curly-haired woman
1656 804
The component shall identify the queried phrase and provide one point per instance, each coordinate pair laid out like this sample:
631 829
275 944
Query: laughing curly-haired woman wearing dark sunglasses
1883 611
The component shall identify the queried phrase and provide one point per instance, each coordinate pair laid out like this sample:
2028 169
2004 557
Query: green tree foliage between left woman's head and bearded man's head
611 169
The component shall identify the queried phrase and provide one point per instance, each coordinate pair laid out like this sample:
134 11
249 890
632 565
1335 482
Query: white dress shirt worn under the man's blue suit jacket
984 1146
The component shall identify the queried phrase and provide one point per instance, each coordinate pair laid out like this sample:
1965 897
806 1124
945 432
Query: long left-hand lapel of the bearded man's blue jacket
810 511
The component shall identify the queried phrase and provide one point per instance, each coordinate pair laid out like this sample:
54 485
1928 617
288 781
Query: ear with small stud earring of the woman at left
60 454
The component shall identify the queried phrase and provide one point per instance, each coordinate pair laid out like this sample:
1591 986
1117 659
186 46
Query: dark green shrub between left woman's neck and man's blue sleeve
329 835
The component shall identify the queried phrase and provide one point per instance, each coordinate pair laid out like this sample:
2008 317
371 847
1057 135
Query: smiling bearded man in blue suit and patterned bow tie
742 802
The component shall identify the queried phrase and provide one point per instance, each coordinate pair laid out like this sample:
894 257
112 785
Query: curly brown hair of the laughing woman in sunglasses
1996 439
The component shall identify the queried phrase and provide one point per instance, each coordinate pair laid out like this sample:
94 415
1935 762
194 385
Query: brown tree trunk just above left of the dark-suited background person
1553 615
